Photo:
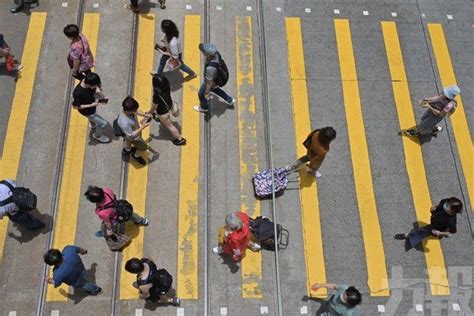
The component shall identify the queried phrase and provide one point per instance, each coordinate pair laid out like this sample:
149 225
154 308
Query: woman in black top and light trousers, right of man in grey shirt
162 107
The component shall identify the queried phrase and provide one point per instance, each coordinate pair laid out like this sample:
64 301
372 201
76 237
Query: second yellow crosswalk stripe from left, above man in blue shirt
70 191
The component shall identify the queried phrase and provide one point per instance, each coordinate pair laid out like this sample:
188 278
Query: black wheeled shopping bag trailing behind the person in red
262 229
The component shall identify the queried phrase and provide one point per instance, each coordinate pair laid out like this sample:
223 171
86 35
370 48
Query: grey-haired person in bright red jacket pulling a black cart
235 236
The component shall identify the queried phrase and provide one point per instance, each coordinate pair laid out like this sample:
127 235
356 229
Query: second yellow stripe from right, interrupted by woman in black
413 158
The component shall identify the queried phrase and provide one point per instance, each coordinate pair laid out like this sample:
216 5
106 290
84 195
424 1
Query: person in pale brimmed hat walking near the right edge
437 108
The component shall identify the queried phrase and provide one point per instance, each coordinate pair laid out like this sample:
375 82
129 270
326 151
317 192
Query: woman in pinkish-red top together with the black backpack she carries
109 212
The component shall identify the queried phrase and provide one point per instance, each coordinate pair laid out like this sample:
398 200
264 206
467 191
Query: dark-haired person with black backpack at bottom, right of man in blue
152 284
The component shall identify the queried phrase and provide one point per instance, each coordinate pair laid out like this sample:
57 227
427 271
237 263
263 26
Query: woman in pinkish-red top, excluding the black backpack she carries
104 200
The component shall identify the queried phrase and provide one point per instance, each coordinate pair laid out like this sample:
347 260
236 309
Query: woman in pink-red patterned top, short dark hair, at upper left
80 58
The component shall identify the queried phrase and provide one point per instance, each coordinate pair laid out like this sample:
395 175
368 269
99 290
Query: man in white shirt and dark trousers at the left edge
16 215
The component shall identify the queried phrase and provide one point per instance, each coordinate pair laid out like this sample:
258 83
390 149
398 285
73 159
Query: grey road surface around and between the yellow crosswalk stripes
343 244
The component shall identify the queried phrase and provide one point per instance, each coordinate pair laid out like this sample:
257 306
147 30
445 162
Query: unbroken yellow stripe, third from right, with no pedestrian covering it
373 245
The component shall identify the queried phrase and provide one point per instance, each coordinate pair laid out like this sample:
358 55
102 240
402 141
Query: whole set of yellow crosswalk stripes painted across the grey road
187 250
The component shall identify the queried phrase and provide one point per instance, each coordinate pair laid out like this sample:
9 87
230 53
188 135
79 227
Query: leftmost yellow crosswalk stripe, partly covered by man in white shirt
20 109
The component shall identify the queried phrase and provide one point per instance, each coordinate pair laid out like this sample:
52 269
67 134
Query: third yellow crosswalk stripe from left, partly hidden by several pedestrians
138 175
